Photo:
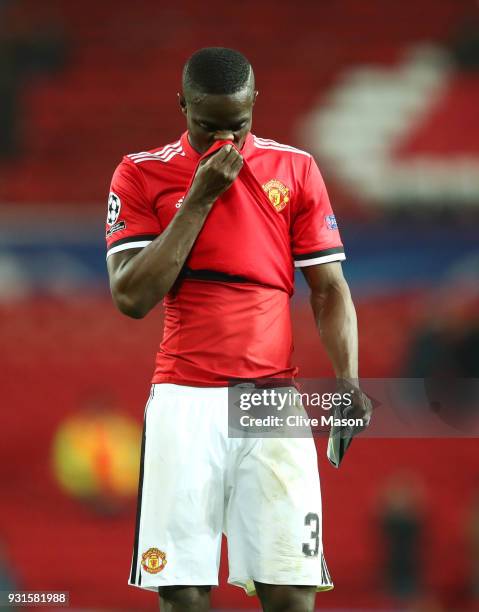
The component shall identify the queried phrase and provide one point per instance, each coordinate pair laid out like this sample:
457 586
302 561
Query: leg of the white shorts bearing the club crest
180 502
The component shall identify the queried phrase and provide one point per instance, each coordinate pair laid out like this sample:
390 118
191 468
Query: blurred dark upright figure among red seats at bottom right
401 525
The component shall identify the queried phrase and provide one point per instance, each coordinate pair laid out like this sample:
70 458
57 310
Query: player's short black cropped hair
216 70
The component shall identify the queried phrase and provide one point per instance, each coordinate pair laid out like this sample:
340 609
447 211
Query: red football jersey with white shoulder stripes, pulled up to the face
228 315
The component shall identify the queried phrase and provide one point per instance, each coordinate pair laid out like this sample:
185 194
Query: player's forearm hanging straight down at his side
336 320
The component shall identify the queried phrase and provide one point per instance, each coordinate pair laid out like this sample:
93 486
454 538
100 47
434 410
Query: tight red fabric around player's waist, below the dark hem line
215 332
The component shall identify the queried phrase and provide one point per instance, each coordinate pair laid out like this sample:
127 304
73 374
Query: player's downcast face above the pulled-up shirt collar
218 117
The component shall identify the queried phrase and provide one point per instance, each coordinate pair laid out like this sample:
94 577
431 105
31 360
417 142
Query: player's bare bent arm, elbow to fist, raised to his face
140 279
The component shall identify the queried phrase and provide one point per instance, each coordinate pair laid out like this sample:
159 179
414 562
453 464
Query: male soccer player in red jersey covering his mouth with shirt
213 224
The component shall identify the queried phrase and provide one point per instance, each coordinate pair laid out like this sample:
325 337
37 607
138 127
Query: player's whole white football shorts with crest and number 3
196 482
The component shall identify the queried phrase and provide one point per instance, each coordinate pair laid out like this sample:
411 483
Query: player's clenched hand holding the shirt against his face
217 173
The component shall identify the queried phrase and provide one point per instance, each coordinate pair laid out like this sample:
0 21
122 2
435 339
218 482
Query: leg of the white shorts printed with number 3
274 516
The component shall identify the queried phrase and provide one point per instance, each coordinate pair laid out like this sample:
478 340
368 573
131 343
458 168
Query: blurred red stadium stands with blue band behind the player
386 95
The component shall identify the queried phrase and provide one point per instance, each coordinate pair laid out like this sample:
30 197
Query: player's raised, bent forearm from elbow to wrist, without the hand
143 280
